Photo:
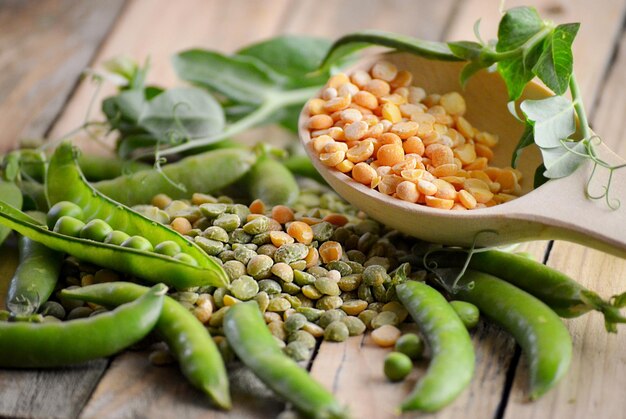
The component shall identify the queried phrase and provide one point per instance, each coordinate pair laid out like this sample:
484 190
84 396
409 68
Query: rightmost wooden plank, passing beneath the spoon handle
593 387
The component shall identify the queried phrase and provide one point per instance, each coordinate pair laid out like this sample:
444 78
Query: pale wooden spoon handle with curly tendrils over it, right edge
568 214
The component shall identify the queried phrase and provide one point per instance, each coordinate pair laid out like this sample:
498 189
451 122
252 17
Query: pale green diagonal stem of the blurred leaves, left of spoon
272 104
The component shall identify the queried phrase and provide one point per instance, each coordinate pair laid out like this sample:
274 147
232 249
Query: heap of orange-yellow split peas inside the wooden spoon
377 128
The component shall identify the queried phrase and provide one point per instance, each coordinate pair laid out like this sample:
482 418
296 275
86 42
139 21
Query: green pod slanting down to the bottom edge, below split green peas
253 343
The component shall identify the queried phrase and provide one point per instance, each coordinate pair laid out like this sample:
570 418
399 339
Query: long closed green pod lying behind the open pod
207 172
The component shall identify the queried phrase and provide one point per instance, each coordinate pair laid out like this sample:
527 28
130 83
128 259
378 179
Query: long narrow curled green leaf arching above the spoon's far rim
352 42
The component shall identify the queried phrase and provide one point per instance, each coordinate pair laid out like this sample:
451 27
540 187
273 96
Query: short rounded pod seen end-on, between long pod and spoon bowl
271 182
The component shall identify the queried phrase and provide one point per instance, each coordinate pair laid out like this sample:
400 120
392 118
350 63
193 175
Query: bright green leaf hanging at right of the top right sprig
555 64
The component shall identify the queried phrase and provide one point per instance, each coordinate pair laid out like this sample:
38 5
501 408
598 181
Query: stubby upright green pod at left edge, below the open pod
36 276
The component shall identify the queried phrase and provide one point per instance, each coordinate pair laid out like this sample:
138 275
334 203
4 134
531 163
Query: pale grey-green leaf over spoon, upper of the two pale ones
553 120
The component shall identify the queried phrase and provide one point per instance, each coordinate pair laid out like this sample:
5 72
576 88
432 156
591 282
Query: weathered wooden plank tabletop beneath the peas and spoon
46 44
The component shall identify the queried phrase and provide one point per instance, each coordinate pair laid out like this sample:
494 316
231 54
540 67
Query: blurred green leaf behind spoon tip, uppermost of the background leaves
292 56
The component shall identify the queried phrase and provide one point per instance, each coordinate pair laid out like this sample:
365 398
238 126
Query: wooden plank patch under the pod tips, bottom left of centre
133 387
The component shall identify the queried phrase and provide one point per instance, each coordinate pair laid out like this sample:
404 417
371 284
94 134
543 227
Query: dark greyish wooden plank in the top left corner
44 46
